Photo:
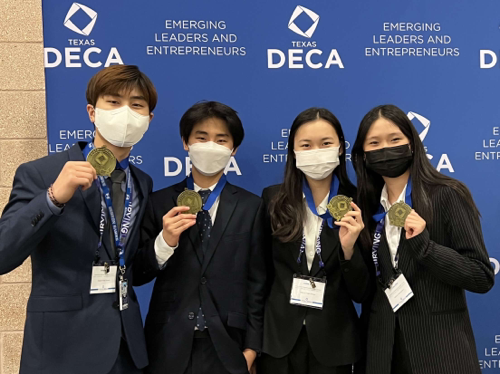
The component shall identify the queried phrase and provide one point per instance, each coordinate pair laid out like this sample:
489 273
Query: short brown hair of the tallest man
115 78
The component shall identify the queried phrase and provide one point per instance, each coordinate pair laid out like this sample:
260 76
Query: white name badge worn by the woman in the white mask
308 291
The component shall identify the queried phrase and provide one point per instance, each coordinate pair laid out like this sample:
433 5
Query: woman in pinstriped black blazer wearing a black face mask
438 249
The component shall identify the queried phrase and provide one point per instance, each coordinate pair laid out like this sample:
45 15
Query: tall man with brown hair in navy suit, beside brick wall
83 316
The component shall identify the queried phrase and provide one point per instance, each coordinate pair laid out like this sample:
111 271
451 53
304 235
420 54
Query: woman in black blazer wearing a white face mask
300 339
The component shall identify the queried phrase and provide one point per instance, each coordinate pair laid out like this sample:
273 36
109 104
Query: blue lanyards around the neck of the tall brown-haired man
120 237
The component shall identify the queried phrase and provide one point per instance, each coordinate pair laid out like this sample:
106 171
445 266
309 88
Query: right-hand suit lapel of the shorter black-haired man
227 204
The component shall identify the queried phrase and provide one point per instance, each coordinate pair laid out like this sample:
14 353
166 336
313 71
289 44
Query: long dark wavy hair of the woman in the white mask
287 208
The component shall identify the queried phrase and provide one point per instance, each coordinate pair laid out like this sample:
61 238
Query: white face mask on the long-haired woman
318 163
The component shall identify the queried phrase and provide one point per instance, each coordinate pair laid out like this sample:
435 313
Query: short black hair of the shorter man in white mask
204 110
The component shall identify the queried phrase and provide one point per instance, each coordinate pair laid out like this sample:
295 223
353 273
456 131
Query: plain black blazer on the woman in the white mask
333 332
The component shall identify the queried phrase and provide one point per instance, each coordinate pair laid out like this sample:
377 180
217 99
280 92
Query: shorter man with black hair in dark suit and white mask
206 312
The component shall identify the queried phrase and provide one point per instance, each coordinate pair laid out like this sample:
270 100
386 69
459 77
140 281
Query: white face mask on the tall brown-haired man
122 127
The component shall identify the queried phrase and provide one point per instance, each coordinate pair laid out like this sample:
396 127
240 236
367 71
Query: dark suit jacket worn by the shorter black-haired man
229 280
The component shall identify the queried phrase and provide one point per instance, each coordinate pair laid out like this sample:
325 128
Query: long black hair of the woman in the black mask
425 178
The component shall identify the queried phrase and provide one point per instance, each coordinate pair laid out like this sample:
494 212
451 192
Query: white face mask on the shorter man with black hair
209 158
